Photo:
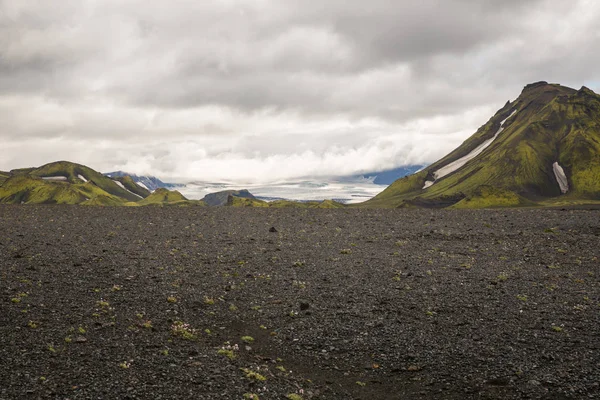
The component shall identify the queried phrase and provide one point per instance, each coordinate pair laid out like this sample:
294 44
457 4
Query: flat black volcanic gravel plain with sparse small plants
341 304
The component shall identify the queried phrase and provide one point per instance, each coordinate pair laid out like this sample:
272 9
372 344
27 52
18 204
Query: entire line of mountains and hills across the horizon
543 149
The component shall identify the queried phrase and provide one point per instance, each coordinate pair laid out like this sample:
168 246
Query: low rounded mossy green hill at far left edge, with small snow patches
65 182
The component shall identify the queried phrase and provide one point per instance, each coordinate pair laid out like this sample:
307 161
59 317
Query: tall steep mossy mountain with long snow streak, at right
541 149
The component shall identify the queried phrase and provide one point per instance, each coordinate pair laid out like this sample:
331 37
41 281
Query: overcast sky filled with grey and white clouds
265 90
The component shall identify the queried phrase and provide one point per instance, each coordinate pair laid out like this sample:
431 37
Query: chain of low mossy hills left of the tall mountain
64 182
